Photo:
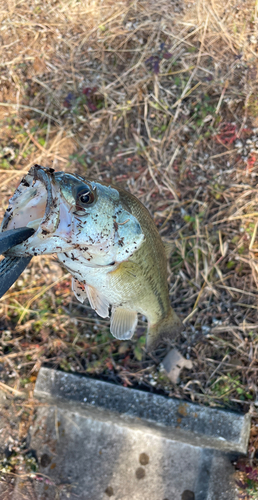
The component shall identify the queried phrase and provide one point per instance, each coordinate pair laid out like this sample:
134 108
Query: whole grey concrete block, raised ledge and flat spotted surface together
87 450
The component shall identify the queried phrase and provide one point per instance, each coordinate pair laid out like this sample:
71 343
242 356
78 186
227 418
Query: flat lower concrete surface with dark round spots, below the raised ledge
84 458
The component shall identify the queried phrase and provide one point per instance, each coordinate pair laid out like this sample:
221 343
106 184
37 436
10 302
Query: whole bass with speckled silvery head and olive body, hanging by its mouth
106 238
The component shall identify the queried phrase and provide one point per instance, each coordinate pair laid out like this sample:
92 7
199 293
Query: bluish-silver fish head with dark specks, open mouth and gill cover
73 216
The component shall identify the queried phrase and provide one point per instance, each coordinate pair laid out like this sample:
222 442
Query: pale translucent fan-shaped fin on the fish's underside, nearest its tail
123 322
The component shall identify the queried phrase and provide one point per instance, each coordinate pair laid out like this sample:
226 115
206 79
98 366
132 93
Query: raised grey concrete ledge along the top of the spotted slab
170 418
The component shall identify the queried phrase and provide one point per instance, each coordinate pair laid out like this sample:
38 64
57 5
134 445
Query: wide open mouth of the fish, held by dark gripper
33 201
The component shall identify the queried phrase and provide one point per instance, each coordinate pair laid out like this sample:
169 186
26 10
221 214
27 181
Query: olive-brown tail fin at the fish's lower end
165 329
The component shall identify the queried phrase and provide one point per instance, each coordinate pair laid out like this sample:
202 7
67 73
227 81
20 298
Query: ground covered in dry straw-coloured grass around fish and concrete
161 99
